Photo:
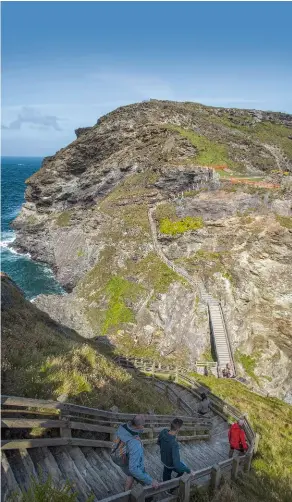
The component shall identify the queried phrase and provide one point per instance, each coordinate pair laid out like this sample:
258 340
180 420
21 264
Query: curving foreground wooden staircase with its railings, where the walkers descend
87 462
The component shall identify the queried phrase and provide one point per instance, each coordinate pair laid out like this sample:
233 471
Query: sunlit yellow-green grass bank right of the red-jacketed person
272 419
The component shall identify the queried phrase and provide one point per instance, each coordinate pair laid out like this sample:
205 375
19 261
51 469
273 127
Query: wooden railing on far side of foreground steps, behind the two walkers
199 428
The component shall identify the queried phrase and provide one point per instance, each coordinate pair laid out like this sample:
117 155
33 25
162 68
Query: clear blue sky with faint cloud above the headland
64 64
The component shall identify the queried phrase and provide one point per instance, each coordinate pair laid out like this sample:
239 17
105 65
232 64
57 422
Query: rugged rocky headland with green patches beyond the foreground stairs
219 185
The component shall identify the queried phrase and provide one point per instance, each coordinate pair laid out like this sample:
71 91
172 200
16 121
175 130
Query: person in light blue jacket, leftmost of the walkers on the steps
128 435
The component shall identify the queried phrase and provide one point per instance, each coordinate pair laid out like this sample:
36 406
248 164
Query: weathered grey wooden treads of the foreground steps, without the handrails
91 469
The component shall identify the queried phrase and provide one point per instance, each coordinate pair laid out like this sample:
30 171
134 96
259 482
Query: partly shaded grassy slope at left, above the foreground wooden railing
40 359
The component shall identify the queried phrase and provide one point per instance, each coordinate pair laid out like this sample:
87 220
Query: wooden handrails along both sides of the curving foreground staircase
210 475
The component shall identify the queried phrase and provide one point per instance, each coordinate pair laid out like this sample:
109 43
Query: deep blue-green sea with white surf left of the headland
32 277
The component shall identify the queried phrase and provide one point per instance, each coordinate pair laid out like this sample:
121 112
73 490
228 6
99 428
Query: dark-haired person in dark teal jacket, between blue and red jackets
169 451
